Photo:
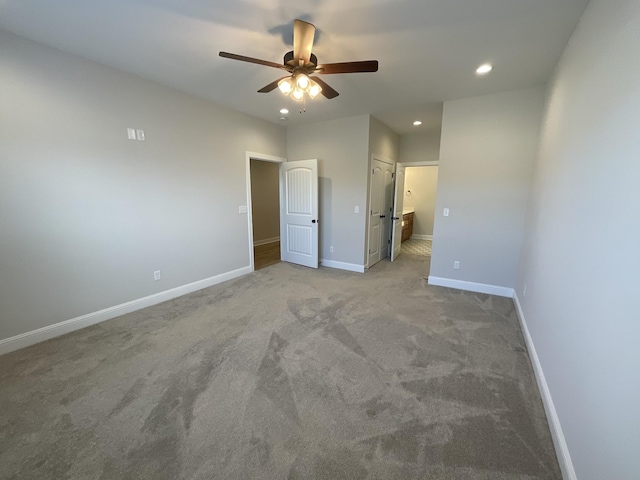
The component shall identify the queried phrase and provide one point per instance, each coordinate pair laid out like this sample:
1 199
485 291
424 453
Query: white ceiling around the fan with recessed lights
428 49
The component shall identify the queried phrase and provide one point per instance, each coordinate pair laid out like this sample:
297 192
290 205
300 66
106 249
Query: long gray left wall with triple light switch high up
87 215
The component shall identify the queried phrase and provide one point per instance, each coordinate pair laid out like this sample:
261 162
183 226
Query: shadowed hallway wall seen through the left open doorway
265 201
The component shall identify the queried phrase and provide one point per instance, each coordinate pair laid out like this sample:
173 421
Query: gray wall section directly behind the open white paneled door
341 149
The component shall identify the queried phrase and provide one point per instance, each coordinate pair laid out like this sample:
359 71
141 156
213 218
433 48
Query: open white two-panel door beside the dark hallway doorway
299 212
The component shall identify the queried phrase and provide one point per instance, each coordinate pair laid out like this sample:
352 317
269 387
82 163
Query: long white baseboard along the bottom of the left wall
45 333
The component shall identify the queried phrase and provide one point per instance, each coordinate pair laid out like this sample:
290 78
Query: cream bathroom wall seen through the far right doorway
422 182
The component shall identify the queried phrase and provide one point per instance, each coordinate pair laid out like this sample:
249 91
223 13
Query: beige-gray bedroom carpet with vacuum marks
287 373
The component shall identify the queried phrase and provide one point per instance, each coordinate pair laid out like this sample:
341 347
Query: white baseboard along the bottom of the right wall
562 450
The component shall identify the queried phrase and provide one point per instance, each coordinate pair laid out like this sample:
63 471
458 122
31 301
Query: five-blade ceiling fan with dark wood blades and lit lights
300 63
